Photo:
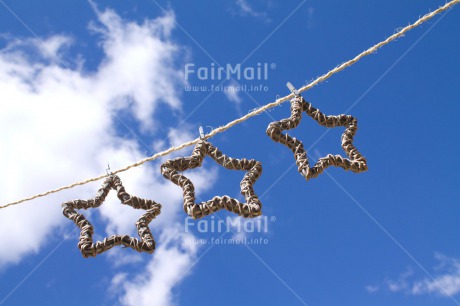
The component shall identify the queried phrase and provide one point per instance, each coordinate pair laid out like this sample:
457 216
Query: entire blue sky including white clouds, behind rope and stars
84 84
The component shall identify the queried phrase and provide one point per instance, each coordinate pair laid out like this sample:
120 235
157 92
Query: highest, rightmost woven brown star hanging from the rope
355 161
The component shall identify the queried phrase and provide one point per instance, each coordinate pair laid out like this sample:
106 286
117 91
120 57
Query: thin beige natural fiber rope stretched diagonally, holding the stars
255 112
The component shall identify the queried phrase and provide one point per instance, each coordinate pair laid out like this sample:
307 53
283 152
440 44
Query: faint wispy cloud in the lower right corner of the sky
444 282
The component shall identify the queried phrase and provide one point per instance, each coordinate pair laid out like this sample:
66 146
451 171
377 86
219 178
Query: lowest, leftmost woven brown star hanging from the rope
86 245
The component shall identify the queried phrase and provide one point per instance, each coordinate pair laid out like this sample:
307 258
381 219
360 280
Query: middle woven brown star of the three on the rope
252 208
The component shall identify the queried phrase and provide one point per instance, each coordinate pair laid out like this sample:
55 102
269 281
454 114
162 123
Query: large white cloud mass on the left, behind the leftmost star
58 125
